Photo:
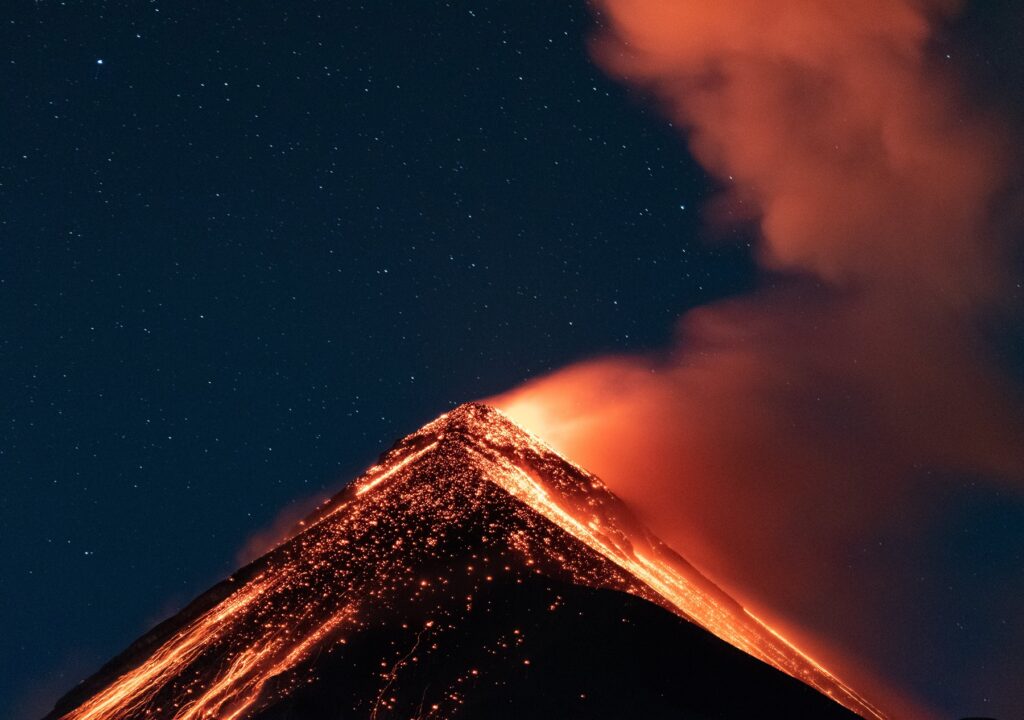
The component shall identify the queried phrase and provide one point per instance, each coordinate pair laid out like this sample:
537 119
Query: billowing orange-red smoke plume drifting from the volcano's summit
791 432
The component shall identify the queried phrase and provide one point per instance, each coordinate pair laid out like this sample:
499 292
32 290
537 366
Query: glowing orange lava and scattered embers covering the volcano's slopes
407 541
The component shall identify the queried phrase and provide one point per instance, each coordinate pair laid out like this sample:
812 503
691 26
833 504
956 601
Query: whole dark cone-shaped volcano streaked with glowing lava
472 573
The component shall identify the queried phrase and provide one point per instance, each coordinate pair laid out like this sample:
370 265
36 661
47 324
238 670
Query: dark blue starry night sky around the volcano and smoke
248 245
